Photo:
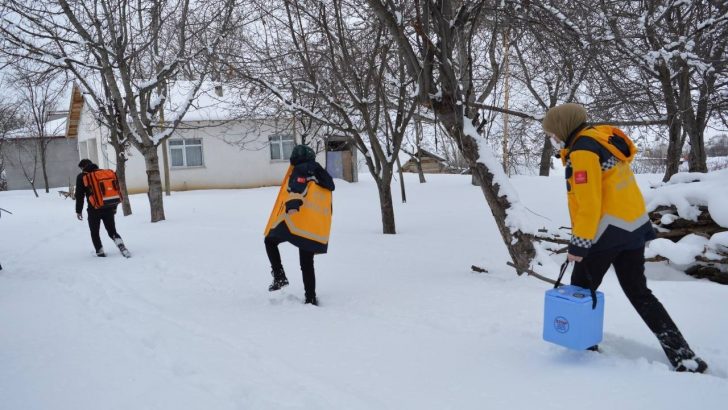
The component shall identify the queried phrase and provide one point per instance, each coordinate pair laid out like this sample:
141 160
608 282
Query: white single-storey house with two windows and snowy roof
210 150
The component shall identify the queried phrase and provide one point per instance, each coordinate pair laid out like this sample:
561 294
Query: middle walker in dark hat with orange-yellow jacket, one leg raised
302 217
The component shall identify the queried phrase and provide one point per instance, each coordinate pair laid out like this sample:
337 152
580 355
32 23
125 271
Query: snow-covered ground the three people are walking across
188 323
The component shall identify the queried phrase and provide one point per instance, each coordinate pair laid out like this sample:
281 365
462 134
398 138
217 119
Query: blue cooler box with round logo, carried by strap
570 321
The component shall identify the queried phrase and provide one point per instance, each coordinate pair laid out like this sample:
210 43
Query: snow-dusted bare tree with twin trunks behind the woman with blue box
677 48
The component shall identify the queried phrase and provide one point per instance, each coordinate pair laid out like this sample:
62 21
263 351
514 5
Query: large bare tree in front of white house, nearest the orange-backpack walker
110 50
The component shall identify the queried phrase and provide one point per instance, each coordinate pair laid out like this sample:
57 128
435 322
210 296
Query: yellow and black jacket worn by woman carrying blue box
605 204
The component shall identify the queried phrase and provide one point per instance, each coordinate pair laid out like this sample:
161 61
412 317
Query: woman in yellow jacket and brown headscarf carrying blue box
609 222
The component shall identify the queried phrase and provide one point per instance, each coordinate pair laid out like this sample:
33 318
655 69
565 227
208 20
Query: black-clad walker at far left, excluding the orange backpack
97 214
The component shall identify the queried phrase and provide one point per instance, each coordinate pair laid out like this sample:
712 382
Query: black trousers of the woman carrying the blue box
629 265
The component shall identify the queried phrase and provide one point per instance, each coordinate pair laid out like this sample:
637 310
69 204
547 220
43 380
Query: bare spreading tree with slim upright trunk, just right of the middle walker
346 76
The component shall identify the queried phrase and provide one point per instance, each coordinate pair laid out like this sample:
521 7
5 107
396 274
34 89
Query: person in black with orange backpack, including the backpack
100 187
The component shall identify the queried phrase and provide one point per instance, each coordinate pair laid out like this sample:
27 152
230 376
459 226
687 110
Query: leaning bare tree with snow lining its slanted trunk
435 39
